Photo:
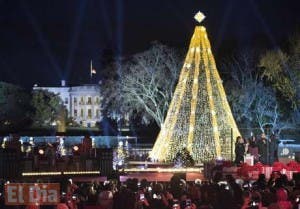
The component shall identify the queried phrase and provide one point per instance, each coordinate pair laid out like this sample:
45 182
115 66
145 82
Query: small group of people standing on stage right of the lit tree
263 149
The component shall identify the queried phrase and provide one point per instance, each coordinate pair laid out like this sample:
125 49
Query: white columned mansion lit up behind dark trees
83 102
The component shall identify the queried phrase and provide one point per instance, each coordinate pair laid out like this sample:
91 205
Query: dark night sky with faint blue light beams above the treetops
44 41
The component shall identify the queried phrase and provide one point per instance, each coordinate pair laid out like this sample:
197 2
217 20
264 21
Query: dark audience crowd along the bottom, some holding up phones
221 192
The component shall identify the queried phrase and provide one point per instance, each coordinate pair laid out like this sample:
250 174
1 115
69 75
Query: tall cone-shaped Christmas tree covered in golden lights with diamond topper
199 116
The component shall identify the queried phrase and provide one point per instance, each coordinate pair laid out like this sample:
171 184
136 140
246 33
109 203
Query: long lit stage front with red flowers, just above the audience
163 172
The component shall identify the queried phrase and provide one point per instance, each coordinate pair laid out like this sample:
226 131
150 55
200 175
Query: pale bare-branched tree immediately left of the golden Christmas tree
146 83
